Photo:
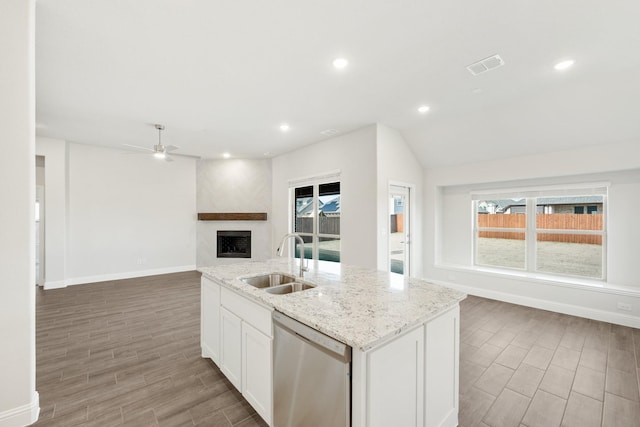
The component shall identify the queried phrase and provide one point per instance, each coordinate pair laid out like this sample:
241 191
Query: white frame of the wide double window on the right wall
531 230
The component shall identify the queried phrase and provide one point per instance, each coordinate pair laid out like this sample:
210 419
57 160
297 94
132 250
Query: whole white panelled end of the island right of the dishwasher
411 380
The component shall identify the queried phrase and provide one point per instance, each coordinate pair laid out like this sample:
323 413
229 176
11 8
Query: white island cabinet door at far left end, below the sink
210 320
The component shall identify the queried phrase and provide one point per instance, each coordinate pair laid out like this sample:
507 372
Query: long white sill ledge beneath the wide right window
570 282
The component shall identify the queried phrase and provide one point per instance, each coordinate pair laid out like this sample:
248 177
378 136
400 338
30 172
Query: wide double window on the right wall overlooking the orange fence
542 231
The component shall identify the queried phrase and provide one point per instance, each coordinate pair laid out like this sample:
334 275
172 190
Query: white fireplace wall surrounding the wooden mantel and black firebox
233 185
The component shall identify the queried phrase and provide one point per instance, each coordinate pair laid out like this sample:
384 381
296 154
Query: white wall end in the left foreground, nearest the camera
18 398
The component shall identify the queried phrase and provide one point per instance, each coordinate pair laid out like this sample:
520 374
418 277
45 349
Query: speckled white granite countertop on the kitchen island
360 307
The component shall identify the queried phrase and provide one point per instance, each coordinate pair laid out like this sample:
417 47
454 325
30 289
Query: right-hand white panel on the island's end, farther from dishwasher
442 370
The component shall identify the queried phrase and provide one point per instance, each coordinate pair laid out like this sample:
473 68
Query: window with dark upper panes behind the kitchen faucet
317 220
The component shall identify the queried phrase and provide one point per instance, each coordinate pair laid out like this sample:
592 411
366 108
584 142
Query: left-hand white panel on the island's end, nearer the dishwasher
395 381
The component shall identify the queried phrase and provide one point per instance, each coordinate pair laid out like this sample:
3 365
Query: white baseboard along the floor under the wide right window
574 310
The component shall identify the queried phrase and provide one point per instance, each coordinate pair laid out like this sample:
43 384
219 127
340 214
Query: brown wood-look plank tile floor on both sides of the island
128 353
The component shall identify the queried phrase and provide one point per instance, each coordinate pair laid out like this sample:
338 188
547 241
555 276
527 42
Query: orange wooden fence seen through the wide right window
544 221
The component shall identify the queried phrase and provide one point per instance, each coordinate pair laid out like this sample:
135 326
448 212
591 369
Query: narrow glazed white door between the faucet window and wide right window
399 230
